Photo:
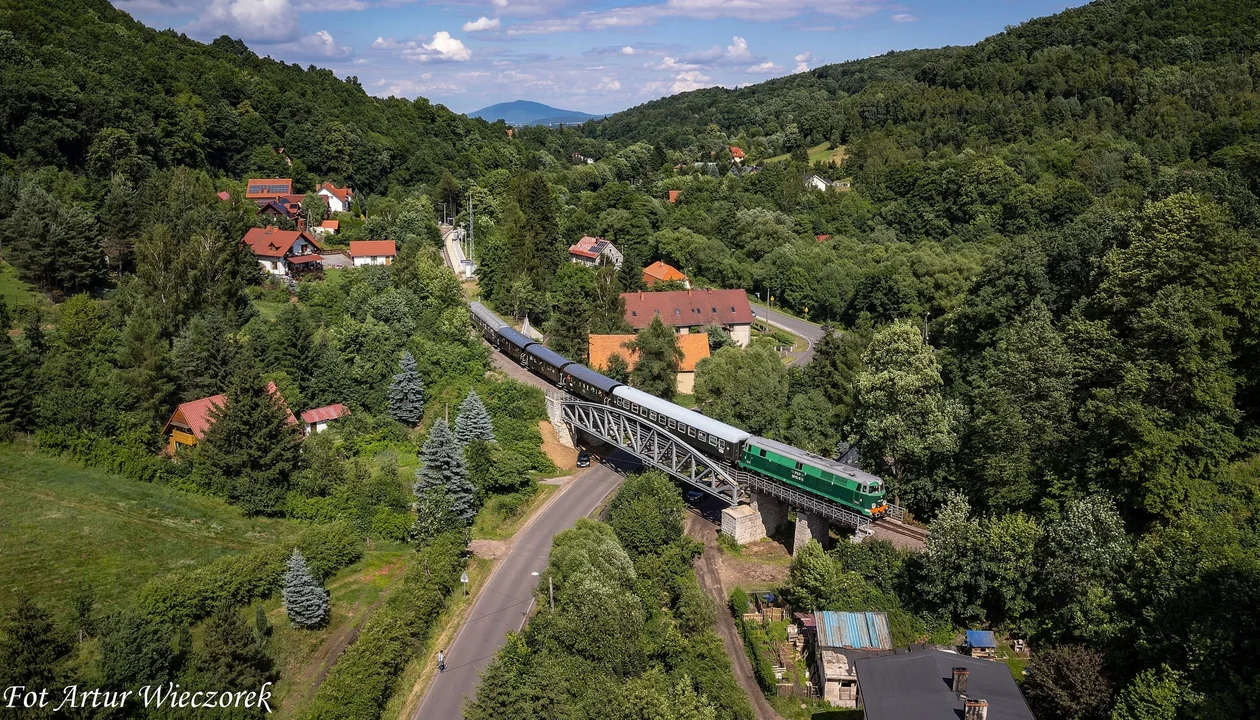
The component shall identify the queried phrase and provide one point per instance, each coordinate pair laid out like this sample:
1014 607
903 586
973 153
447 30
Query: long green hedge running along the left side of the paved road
361 684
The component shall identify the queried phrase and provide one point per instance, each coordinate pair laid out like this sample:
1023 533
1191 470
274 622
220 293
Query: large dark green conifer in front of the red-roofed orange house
251 450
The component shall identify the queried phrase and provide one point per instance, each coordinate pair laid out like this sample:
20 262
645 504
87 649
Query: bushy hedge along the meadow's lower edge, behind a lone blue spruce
190 596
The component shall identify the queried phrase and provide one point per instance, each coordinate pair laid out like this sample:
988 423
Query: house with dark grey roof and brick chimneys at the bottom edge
931 684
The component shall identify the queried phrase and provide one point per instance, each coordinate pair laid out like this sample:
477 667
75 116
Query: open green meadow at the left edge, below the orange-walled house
62 525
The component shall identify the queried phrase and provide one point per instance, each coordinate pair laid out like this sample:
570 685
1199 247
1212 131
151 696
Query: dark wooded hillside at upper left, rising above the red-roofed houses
89 89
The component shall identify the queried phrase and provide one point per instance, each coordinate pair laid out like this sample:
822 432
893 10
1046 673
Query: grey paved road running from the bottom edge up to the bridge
507 600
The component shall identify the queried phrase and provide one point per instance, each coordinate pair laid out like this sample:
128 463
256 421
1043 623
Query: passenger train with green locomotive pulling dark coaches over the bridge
857 491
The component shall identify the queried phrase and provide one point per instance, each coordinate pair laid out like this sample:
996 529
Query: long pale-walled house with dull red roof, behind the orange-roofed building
689 311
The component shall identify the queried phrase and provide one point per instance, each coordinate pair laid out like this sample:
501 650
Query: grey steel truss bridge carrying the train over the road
667 452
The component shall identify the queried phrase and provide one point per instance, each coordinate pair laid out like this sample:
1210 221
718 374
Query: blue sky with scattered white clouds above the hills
595 57
